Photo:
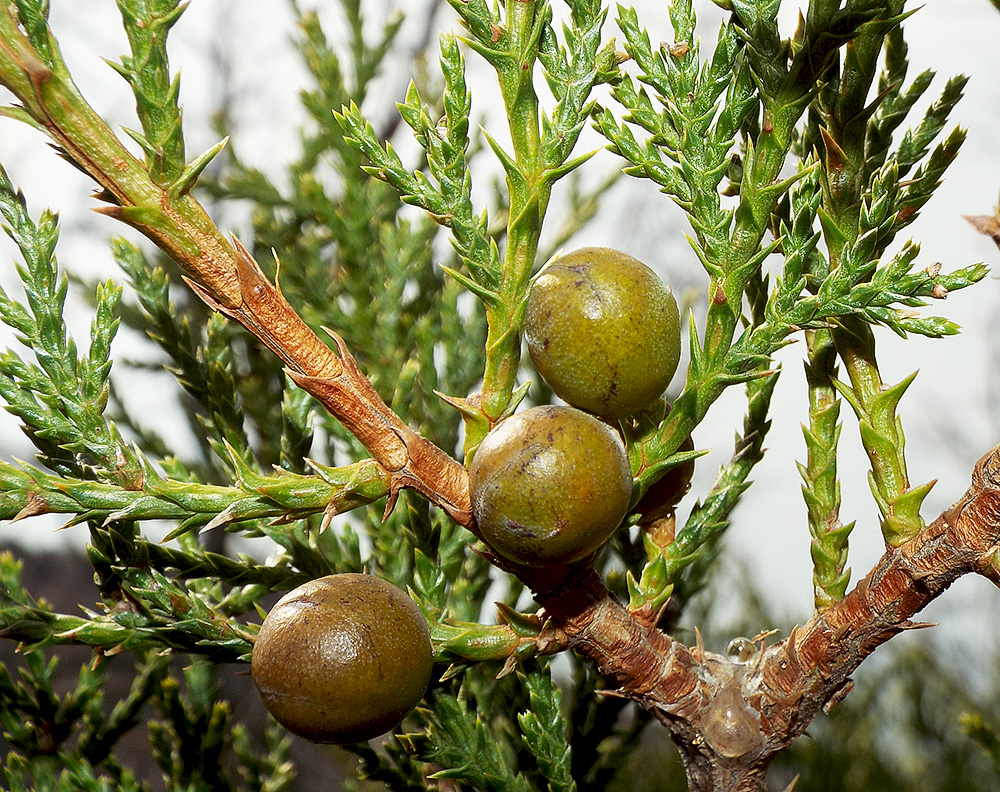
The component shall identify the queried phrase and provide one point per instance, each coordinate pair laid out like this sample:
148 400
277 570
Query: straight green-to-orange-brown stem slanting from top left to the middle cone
222 273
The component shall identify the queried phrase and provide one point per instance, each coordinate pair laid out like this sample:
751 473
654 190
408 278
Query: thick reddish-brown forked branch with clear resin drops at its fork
730 719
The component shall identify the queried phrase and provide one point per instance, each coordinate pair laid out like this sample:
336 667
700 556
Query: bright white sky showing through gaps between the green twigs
949 418
